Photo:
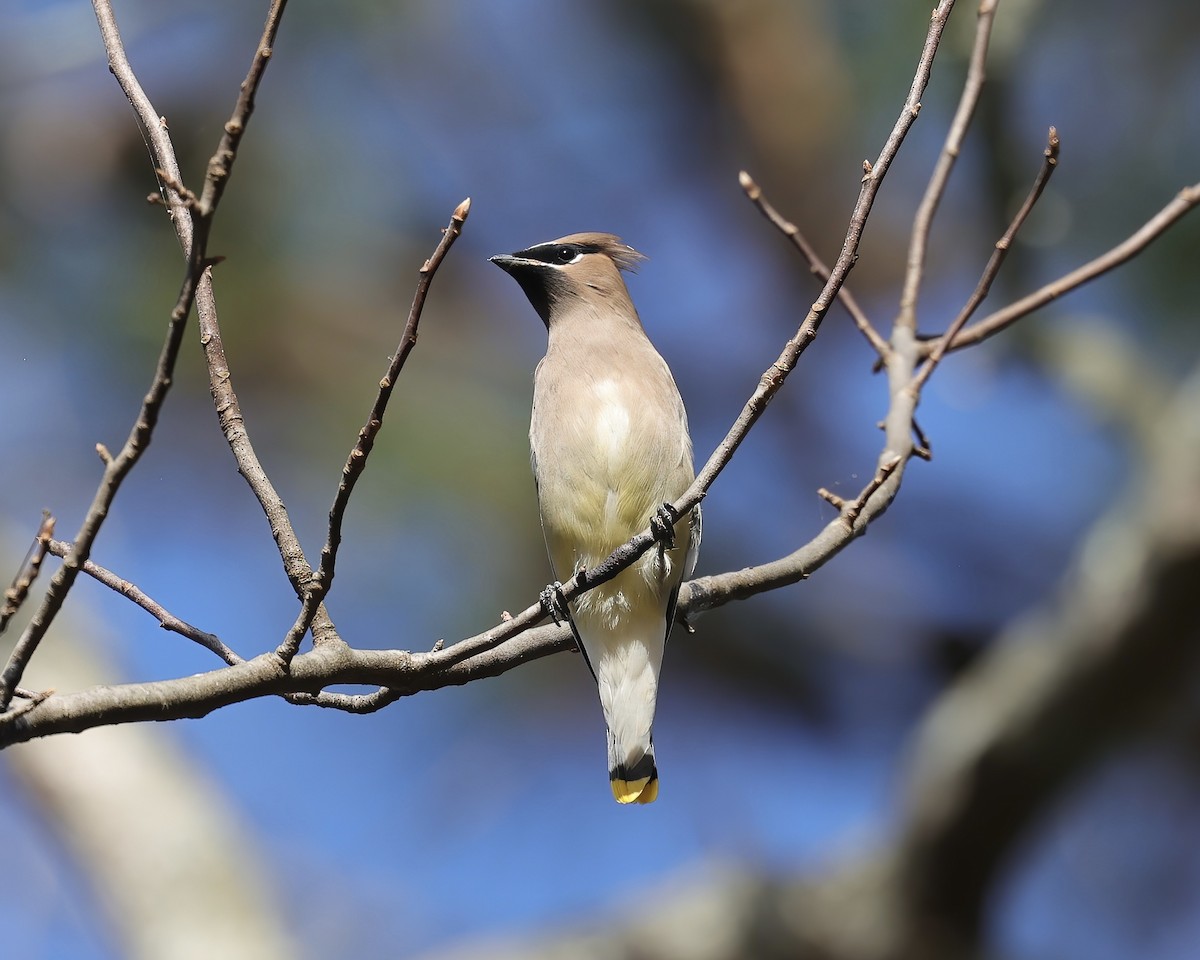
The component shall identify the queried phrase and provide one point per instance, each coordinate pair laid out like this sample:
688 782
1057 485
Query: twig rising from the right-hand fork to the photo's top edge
922 223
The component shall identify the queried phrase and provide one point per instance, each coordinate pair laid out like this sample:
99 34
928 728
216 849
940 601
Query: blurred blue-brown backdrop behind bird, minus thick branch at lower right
482 814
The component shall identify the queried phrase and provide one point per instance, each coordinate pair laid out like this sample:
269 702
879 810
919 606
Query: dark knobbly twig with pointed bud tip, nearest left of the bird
356 464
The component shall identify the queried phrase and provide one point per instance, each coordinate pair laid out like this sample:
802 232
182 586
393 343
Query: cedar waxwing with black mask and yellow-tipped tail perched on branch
610 446
